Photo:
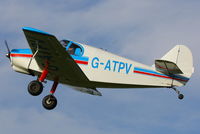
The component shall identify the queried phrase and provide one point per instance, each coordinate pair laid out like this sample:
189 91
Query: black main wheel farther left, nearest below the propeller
35 88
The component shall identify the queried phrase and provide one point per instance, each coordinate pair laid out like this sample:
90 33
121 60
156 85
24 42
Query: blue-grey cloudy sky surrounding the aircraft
142 30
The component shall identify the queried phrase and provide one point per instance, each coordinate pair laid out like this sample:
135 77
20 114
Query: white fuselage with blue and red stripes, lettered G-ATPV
103 69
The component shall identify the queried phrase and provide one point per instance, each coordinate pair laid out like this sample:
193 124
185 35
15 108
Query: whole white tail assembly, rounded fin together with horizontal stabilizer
177 63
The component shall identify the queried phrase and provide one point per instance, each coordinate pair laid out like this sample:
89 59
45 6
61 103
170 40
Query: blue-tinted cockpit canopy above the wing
72 48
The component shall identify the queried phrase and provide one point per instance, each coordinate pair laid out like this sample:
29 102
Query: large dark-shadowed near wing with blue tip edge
46 48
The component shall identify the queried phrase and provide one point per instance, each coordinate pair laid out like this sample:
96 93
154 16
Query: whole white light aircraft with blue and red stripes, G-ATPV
86 68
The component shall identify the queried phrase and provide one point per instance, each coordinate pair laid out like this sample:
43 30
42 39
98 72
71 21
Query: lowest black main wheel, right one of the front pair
49 102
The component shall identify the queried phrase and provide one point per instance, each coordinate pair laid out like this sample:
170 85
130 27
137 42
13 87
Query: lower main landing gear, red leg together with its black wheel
49 102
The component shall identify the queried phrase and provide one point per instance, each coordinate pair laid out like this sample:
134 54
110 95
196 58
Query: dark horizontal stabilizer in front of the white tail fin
167 67
